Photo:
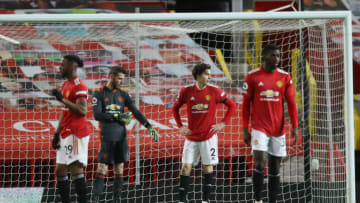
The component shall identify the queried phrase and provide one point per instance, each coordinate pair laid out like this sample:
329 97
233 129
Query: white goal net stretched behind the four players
159 52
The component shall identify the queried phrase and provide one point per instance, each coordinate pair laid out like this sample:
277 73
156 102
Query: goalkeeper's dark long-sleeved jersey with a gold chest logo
107 102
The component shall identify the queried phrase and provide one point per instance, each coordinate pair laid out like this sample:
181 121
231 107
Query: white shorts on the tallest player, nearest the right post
275 146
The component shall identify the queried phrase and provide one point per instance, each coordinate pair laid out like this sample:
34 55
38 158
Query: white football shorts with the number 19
73 149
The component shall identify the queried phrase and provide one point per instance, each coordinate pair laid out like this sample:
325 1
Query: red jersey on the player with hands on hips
201 109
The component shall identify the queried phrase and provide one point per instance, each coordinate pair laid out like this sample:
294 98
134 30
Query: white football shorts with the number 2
207 150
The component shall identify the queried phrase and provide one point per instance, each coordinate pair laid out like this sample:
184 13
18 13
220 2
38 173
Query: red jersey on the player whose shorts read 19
73 123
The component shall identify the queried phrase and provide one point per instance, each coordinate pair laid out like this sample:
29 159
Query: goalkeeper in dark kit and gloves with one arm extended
108 107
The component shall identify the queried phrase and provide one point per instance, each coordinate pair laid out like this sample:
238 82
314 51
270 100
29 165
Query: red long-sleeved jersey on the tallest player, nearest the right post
263 101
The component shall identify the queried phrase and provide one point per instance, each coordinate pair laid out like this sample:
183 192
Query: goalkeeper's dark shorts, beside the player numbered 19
113 152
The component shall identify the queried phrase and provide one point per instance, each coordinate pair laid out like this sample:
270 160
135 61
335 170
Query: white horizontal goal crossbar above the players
175 16
